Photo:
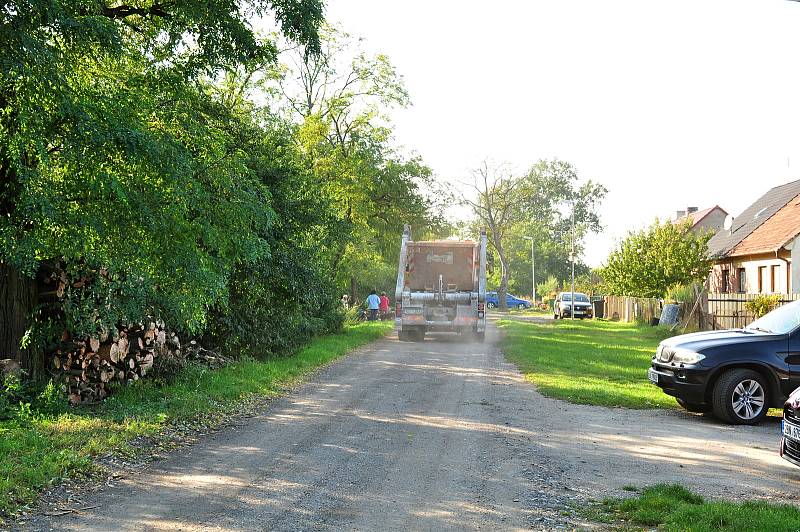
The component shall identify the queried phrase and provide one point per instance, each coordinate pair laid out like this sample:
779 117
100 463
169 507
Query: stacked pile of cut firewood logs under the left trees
87 367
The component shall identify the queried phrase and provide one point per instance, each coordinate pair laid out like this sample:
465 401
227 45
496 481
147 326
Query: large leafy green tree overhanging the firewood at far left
118 166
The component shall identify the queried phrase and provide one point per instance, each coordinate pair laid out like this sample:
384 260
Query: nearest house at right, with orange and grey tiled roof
759 251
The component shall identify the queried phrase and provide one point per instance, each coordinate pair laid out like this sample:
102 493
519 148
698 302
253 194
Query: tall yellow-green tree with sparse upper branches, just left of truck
341 98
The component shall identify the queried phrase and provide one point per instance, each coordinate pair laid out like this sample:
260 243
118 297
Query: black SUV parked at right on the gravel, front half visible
737 373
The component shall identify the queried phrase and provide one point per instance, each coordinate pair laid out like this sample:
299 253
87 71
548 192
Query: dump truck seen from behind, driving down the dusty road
441 286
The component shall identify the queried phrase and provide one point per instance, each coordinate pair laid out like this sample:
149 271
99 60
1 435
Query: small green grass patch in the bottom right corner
673 507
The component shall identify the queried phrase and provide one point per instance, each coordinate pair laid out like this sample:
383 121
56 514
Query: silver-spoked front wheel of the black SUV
740 397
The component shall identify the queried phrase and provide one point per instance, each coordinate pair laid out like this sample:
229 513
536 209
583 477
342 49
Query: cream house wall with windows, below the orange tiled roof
751 265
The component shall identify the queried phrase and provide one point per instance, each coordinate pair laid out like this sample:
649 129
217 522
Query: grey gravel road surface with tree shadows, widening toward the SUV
430 436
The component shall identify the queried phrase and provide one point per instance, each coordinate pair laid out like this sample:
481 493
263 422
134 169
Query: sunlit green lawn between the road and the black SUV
588 362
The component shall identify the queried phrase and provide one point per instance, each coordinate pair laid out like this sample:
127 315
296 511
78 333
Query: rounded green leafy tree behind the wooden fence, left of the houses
648 262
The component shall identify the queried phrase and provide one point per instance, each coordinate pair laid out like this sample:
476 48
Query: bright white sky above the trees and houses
667 104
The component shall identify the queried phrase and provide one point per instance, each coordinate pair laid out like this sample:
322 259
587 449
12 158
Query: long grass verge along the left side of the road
39 450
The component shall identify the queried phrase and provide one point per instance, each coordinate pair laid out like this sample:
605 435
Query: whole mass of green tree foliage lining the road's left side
139 173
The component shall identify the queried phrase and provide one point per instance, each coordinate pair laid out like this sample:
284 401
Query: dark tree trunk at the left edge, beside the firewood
17 301
